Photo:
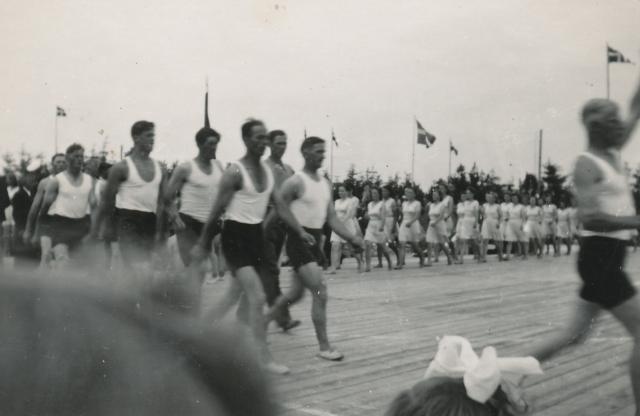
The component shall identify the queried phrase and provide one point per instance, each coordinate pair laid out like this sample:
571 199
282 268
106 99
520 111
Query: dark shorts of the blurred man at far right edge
600 264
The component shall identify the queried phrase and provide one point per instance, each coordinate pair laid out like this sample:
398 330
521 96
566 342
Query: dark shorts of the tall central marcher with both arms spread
242 244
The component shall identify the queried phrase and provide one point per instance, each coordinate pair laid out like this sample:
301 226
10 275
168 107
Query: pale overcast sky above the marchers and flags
487 75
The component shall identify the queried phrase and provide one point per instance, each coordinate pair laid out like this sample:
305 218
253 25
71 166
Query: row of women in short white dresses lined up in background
519 225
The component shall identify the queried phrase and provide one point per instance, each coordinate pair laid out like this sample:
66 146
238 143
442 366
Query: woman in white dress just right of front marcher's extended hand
375 237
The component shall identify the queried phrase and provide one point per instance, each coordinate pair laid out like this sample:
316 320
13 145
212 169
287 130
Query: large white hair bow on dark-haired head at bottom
481 375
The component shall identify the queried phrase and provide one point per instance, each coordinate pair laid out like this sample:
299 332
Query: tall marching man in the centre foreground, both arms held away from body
245 191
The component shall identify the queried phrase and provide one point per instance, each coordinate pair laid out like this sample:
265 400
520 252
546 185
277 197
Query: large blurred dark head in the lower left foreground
67 348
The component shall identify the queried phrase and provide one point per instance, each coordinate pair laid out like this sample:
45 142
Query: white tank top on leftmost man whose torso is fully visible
72 201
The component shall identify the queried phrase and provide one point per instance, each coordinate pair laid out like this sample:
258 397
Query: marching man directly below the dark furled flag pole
197 182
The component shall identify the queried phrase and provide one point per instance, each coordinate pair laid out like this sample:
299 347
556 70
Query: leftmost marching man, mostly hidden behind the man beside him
32 233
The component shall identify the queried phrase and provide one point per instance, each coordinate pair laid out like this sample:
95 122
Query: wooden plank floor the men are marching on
386 324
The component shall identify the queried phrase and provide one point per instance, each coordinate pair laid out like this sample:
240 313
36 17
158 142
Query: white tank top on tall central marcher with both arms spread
247 205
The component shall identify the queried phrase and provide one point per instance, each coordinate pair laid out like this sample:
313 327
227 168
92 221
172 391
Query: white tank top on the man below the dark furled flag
200 190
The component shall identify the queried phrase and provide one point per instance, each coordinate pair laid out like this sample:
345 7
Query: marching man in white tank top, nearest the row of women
310 198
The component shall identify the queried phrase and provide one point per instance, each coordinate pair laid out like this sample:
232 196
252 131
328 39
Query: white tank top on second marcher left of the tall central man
137 194
